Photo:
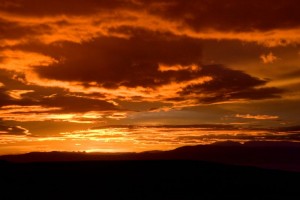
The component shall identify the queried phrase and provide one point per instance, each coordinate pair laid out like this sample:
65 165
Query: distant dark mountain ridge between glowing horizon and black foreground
271 155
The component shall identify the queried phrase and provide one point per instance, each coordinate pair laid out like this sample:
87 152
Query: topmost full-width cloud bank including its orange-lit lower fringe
267 23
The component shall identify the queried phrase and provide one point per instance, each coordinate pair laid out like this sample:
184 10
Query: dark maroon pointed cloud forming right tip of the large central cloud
228 84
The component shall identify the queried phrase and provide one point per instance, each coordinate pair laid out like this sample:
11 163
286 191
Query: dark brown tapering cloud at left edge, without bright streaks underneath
53 97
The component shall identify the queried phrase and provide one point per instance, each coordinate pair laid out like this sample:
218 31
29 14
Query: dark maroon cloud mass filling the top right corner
233 15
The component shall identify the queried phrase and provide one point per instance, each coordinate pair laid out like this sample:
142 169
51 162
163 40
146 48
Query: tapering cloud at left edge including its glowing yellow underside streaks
35 103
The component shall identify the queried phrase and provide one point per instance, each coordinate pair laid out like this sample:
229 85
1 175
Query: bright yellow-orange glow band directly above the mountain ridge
137 139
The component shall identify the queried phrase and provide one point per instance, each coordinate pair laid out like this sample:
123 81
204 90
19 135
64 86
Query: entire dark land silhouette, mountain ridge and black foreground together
152 175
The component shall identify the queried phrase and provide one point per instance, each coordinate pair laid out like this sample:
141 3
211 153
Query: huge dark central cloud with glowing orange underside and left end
148 66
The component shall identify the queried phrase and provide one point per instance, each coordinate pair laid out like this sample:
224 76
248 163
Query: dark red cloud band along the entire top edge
202 14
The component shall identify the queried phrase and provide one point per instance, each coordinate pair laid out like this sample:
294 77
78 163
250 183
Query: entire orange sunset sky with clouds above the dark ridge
135 75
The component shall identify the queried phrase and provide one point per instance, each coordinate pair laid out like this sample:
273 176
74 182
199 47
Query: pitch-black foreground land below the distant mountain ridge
142 180
